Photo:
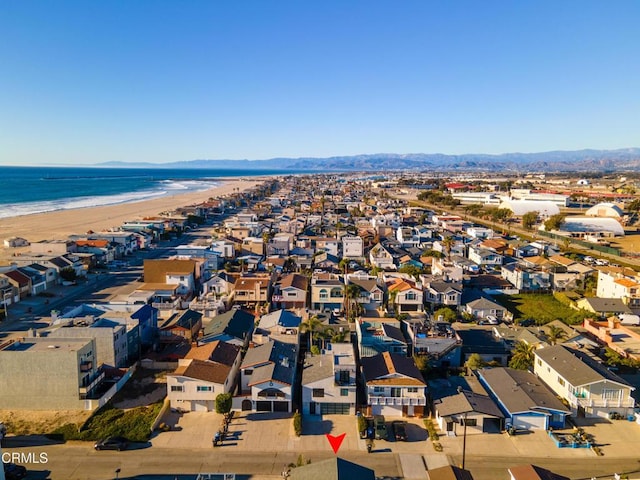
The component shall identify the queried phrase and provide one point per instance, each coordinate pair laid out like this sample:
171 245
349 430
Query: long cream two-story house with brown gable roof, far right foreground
589 387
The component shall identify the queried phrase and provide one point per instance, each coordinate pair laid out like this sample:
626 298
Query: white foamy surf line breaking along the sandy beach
167 189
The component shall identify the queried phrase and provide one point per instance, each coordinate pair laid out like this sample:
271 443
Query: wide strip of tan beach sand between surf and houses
62 223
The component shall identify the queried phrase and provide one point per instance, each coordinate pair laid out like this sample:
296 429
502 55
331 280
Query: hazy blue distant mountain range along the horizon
627 159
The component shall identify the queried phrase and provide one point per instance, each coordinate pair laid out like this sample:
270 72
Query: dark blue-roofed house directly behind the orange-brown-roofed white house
377 335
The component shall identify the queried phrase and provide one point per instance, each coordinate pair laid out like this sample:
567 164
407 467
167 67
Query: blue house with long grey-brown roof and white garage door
526 402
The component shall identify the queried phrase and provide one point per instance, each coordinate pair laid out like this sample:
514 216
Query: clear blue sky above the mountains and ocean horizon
151 80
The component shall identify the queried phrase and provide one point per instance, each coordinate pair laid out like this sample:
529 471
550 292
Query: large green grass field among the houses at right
543 308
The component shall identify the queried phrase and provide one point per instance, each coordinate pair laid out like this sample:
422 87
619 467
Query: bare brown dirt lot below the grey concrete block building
29 422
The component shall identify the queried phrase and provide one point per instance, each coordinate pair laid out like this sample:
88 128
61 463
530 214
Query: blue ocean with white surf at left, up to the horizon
26 190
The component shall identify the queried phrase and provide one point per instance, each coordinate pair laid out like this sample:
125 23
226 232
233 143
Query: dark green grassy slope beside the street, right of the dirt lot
134 424
